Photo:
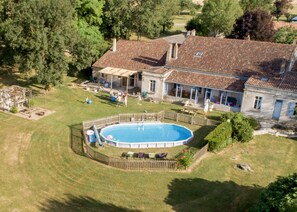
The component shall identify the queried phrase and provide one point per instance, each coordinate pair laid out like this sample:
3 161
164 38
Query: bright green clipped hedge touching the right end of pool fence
220 137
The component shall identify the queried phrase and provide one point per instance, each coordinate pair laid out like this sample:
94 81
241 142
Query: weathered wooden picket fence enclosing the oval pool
82 144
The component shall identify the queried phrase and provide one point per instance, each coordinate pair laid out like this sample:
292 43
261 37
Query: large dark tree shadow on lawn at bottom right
196 194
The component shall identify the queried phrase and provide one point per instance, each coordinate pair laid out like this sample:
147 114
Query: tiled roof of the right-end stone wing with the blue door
286 82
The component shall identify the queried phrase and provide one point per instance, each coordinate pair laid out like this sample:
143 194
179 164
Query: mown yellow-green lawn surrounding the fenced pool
39 171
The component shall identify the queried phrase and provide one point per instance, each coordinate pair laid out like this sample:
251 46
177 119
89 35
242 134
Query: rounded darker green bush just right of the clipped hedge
242 130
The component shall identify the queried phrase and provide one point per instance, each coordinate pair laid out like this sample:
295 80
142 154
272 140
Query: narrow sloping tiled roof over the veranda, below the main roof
205 80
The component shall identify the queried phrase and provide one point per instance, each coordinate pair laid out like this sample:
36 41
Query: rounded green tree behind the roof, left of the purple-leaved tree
218 16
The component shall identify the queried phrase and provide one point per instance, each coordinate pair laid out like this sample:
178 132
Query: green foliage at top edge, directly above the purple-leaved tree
248 5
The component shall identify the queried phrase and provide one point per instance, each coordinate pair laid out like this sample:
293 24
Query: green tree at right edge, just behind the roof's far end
286 34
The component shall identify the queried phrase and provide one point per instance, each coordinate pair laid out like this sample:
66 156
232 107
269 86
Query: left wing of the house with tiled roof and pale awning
122 65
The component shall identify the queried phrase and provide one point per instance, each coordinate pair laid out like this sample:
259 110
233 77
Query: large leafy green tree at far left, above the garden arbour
37 33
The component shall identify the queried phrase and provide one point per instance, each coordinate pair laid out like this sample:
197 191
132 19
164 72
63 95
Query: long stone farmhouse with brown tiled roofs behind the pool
256 78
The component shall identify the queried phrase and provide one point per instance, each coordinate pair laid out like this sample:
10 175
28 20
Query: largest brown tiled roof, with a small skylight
232 56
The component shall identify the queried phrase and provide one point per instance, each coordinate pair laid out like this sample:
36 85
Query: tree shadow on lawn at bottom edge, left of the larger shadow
79 203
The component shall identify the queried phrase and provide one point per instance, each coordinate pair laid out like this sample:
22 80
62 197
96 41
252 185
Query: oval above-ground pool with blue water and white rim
146 135
